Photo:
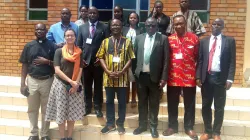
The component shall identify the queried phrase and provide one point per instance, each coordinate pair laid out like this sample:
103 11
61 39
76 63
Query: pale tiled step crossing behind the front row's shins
17 110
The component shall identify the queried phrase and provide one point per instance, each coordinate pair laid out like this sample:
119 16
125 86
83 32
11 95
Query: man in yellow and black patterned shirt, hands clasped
115 55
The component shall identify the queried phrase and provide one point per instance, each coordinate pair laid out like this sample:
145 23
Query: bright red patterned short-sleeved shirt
182 70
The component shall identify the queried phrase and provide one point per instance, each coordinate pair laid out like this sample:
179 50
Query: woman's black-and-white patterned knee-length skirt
64 106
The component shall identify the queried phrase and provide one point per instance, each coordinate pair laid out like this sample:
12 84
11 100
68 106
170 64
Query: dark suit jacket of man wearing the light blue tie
159 58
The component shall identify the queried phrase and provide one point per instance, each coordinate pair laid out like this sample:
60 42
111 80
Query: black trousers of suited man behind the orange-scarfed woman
93 74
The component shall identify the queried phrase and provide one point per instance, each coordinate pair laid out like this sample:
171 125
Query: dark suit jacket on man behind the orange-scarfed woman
90 50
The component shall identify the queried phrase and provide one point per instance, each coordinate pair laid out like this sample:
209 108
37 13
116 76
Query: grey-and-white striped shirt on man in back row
194 23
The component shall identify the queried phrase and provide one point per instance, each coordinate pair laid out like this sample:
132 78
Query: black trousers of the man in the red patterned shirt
189 96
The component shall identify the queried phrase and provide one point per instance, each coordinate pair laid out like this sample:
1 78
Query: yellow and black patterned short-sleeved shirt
124 52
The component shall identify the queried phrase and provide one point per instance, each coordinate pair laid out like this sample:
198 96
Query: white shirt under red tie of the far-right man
217 54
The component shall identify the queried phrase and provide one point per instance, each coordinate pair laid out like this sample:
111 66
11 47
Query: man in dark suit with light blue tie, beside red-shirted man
151 71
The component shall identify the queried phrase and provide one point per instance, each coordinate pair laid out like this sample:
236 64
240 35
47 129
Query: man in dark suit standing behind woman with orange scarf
90 37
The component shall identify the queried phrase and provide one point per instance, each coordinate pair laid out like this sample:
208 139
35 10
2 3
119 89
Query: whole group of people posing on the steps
63 65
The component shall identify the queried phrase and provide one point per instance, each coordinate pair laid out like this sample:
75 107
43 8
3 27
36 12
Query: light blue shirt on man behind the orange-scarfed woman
56 32
